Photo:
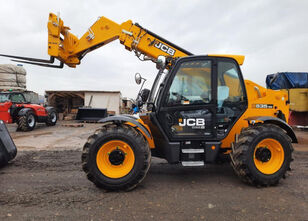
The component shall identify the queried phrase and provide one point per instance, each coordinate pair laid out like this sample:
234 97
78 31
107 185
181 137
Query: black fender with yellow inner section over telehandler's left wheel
133 122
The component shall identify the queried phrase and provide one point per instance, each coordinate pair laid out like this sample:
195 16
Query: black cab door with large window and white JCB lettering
187 107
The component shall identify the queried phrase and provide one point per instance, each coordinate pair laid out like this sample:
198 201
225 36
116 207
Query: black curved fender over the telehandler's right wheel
276 121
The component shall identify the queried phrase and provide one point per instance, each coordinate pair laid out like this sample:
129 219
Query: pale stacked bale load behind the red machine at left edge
12 77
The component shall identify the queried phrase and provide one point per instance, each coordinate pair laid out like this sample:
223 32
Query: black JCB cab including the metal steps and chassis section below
193 106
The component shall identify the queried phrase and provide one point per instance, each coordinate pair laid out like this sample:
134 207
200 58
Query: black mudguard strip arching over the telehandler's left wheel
126 118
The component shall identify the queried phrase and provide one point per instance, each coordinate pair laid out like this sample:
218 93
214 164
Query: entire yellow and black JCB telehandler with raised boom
198 109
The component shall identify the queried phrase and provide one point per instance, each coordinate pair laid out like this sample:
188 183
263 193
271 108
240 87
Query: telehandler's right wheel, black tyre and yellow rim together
262 155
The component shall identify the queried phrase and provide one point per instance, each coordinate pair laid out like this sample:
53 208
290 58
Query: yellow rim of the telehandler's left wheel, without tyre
115 159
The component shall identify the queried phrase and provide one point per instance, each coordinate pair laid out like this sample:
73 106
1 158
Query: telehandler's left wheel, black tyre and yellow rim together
116 157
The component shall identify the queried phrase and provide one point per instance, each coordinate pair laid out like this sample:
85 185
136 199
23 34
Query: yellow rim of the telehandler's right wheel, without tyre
268 156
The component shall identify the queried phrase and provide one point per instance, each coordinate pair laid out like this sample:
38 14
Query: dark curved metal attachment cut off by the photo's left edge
8 149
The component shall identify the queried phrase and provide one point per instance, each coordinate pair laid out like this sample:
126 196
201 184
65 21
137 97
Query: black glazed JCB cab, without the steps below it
202 98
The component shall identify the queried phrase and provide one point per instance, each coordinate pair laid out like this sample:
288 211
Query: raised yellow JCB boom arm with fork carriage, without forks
70 50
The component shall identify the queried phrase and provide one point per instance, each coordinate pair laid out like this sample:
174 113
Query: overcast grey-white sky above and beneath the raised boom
273 35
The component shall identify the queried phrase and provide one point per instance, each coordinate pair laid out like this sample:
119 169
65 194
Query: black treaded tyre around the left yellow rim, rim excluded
141 152
